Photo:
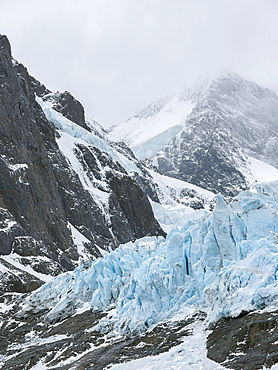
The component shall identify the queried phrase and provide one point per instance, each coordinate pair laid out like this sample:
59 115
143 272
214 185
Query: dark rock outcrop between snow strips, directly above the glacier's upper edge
129 213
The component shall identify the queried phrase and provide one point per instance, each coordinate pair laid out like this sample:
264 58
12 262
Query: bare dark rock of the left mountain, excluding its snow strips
40 193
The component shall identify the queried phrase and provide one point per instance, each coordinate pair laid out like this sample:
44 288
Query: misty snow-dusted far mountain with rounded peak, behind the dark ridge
212 134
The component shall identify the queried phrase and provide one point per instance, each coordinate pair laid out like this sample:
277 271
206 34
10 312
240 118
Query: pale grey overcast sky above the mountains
118 55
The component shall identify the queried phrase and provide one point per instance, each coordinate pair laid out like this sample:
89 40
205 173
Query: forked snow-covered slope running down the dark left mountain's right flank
176 199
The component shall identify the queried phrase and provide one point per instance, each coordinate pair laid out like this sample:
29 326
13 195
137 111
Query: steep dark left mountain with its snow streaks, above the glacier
65 193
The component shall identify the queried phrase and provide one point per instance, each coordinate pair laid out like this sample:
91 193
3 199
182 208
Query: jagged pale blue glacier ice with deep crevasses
224 263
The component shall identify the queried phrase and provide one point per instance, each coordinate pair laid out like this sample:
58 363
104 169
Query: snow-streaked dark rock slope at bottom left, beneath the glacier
73 343
